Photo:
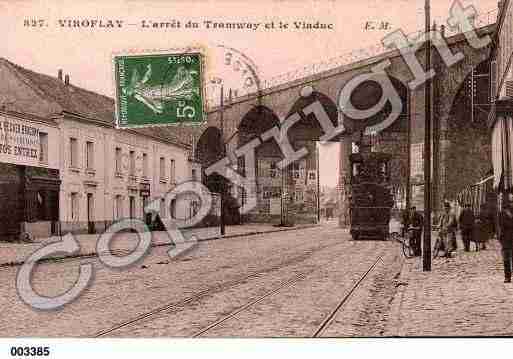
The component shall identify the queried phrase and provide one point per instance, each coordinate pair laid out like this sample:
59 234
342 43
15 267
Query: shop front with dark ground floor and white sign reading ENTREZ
29 177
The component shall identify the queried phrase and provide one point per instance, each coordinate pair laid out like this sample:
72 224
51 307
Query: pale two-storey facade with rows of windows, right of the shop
109 174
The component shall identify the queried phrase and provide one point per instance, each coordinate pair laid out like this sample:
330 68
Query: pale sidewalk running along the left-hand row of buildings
17 253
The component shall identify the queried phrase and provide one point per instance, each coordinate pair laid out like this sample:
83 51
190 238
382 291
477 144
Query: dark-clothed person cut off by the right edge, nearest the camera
506 235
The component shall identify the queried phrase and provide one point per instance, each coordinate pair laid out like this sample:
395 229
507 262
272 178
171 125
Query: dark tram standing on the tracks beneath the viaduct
371 199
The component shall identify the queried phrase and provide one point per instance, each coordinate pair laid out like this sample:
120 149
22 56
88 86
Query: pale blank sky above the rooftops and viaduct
86 53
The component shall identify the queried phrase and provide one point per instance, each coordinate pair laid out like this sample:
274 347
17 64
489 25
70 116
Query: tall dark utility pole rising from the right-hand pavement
426 260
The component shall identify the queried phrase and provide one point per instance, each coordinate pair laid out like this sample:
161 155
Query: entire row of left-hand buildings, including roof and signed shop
65 168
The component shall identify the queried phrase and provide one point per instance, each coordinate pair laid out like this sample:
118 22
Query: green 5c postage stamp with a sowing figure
159 89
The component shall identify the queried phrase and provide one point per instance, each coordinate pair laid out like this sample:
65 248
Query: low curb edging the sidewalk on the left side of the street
121 252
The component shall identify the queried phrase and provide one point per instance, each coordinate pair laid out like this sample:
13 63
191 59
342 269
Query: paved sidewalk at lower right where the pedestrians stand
462 296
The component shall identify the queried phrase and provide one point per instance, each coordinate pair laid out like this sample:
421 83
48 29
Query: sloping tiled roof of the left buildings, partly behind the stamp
87 105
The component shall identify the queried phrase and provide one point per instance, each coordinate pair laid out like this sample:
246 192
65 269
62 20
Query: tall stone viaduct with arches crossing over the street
460 144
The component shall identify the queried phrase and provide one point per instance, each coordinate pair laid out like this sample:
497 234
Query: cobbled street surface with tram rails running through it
302 275
